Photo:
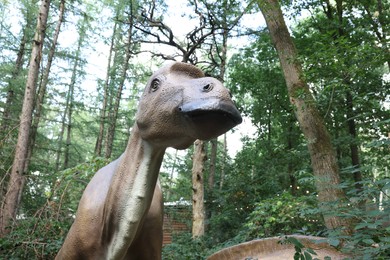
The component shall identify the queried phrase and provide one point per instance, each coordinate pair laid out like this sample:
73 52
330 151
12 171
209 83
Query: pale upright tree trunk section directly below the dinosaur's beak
198 209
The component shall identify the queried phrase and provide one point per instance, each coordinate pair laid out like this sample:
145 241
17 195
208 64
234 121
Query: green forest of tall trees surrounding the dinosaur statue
82 70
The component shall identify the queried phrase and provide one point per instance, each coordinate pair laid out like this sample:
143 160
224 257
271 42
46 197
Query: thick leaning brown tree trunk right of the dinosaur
323 157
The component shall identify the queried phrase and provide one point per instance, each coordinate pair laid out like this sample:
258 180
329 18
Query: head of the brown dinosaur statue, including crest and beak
180 105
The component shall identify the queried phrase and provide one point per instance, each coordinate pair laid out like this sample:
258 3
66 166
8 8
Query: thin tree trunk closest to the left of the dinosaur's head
111 131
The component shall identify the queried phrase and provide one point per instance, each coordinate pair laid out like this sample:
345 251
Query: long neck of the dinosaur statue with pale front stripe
131 192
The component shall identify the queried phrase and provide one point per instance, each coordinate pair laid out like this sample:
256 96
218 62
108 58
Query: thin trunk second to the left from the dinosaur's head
103 111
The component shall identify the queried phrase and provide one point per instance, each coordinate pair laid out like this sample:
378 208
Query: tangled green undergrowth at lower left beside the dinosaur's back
39 234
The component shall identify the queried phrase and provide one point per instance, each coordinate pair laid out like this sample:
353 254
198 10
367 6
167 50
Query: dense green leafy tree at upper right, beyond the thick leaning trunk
339 35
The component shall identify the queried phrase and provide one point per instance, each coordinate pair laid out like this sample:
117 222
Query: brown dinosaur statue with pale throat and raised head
120 214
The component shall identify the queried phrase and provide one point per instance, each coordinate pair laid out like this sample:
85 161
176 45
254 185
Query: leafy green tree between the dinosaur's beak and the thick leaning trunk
257 83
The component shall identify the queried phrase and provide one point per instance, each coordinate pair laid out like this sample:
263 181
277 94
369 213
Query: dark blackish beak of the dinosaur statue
211 117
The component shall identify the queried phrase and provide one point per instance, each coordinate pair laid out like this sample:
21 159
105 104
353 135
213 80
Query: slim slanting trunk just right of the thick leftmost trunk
44 81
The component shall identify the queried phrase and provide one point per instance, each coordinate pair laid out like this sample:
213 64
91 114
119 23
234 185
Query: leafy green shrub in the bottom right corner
372 222
